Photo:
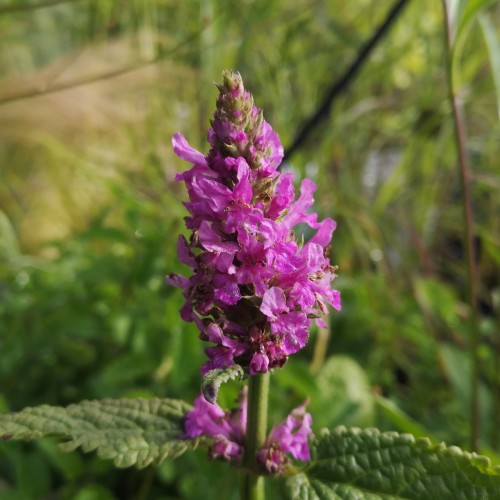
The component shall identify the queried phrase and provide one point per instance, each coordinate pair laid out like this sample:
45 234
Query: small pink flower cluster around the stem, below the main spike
227 428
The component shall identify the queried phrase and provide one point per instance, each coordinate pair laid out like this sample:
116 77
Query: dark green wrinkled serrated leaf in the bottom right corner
367 464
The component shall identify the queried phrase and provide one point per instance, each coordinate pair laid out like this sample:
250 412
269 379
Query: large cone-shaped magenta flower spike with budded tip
254 289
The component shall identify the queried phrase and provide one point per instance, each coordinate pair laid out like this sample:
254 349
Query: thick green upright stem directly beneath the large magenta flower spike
252 483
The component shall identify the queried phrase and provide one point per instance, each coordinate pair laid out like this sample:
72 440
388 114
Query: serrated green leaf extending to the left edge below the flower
128 431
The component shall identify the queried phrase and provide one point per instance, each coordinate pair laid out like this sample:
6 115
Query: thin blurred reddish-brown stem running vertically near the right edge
464 168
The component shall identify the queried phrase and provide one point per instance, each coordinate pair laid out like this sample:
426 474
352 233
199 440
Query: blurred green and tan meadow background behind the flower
91 92
